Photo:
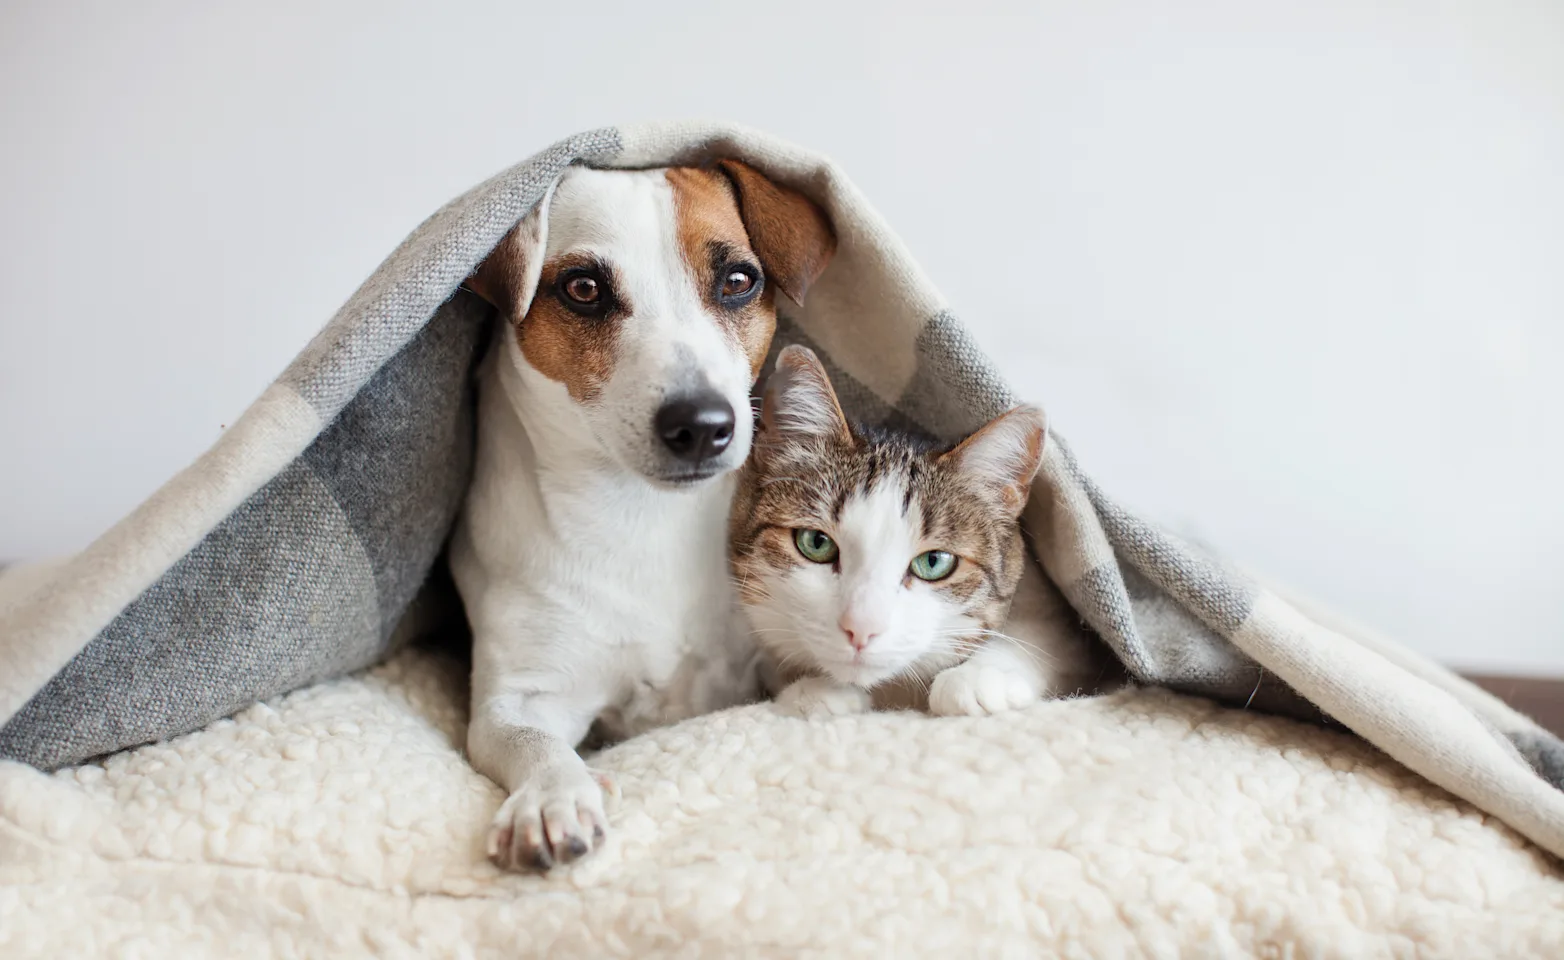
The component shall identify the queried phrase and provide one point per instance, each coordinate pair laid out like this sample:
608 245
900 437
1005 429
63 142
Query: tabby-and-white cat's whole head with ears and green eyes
867 553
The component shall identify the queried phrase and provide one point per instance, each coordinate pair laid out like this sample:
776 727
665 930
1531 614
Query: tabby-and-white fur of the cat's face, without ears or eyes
886 501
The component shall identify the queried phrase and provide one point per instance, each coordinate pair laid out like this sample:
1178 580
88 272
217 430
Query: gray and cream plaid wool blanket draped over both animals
298 546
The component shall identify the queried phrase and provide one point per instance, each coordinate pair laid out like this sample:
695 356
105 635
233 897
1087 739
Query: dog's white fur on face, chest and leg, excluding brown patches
595 590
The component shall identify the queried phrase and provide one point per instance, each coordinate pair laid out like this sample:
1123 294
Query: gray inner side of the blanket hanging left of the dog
304 582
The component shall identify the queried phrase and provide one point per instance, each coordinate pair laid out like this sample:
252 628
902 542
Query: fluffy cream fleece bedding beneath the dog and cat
342 820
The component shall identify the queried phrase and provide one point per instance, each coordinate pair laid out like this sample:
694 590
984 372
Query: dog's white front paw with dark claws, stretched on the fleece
554 819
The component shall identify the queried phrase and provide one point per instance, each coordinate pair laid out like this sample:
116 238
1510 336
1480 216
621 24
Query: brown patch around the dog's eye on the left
572 328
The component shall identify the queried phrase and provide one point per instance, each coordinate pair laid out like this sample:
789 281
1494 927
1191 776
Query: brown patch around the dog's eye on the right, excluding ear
719 256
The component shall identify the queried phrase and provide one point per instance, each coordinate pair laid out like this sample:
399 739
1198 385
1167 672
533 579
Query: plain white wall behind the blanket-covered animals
1288 276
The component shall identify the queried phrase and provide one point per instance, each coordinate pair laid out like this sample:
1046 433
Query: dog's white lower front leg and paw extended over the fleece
554 811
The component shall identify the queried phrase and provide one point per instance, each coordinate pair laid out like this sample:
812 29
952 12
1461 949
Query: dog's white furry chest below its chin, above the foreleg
604 592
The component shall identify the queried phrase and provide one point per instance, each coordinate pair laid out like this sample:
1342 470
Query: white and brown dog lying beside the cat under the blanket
614 406
